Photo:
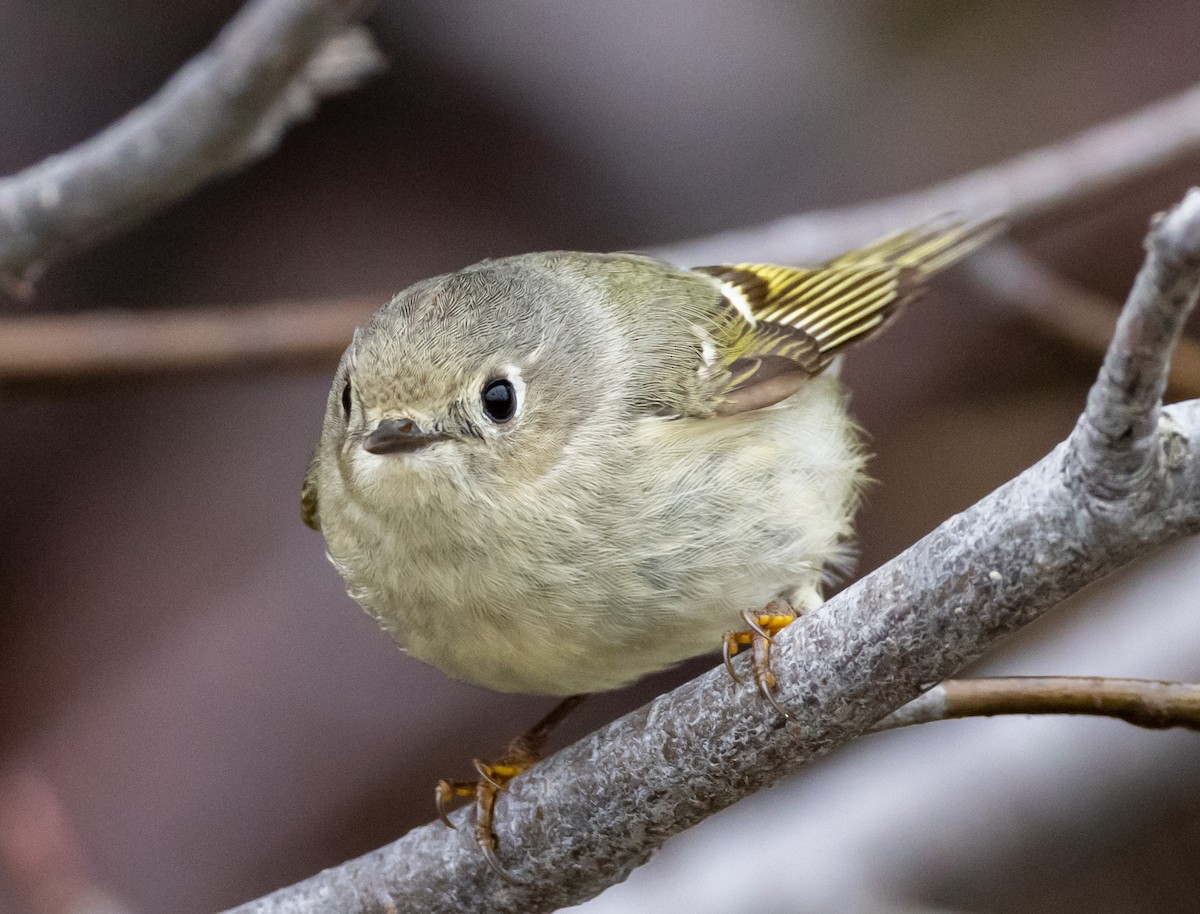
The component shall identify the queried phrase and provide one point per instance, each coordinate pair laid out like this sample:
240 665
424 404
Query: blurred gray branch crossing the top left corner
226 109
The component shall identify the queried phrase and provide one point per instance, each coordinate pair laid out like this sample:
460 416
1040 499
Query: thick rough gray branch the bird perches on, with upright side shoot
1126 482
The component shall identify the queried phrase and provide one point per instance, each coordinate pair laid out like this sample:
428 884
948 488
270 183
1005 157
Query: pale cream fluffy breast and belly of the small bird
625 566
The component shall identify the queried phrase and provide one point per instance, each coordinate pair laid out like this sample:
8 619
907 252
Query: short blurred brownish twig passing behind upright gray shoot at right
1076 315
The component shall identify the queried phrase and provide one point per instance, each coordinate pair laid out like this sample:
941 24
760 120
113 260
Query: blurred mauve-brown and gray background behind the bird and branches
191 711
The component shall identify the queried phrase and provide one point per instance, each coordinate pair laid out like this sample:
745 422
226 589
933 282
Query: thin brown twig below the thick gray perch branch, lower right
1142 702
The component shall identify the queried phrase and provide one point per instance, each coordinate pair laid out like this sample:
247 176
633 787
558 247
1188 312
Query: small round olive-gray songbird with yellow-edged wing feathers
560 472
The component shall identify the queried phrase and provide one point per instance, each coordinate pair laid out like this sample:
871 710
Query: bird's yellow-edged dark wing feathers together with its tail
782 326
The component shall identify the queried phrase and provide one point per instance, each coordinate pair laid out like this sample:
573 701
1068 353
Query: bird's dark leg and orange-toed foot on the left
494 777
